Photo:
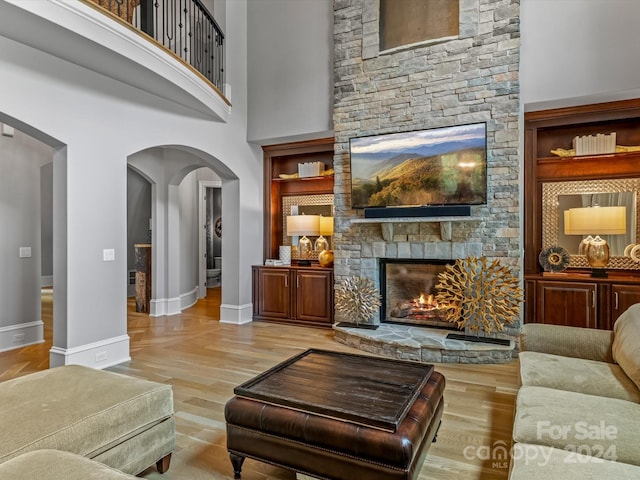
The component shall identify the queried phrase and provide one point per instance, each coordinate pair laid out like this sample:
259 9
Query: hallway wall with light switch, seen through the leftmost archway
21 158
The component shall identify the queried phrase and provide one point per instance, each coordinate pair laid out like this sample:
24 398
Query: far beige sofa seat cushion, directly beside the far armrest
577 375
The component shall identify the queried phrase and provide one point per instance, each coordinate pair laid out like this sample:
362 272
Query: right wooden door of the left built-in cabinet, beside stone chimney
314 296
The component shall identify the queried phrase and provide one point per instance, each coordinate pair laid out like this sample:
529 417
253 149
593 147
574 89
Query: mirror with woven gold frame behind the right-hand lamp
557 197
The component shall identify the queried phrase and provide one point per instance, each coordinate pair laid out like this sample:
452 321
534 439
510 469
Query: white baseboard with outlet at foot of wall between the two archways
102 354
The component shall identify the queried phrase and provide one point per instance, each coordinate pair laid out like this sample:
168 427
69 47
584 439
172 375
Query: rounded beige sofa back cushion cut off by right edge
626 342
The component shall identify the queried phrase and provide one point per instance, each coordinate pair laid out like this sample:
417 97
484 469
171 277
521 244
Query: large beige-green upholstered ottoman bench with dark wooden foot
123 422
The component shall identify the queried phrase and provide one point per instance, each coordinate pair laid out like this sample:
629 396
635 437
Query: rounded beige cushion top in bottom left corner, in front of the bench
57 465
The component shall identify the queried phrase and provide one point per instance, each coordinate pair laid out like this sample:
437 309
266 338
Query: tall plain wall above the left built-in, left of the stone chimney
290 70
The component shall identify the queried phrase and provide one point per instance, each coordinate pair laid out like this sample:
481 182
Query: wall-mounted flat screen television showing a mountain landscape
438 166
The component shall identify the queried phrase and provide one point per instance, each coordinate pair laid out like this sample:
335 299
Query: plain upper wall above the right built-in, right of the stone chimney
577 52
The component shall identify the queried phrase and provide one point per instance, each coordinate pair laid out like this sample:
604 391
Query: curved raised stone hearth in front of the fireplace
406 342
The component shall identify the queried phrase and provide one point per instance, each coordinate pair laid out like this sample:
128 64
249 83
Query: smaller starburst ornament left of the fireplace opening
358 299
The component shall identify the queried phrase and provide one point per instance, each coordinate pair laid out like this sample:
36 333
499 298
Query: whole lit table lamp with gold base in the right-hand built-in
596 221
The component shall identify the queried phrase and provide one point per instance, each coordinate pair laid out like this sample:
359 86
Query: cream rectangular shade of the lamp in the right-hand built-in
595 221
